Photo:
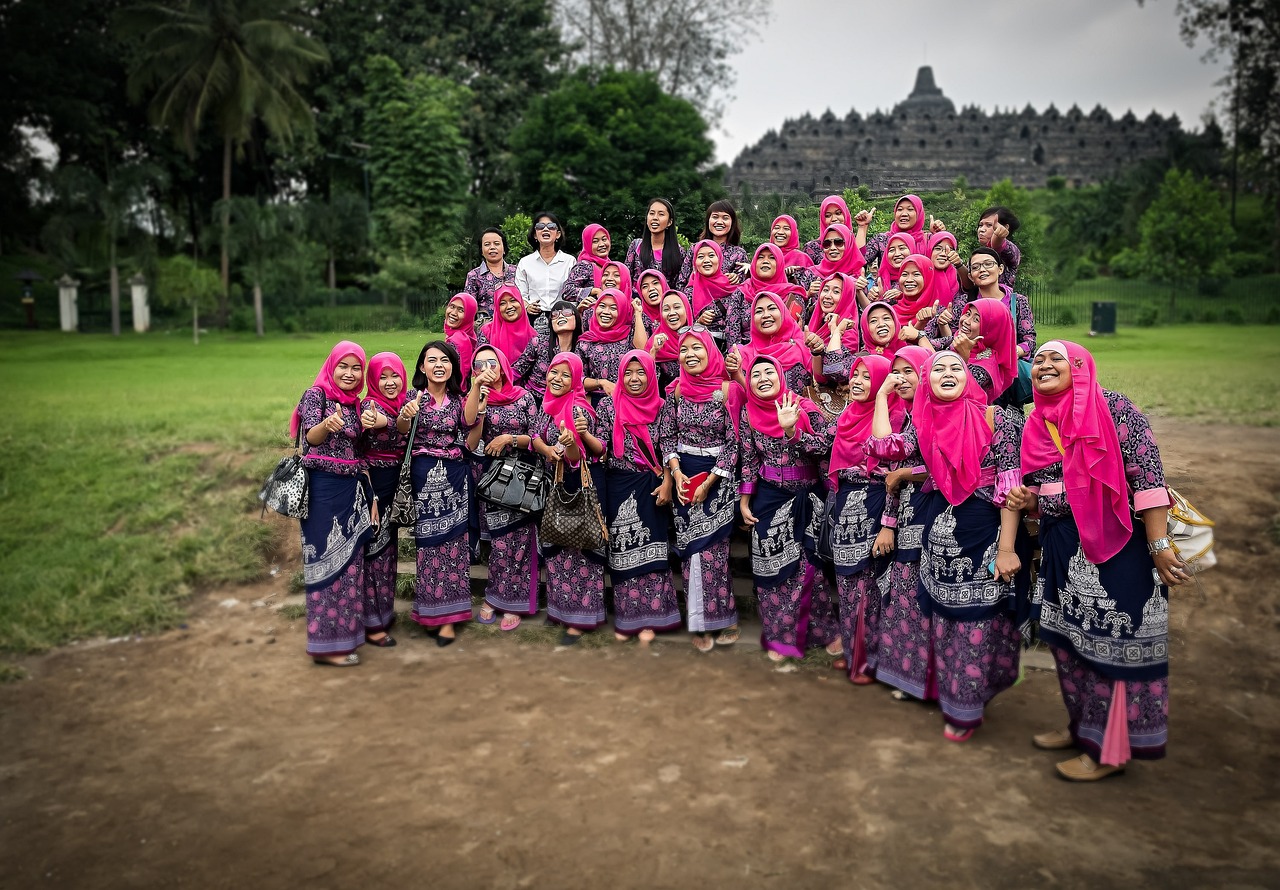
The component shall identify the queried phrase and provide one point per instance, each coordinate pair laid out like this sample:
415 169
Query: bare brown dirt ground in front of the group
218 756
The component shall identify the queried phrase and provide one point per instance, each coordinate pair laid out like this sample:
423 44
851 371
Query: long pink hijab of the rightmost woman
1092 462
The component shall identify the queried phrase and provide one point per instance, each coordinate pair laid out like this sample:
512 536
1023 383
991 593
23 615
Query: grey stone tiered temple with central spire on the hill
925 144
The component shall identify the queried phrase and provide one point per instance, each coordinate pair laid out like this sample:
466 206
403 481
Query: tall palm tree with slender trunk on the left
237 62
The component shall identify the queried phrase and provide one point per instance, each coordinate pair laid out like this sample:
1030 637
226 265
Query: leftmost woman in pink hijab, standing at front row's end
339 521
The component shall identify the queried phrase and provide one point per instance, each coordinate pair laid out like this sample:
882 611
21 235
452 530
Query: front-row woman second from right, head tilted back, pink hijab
976 555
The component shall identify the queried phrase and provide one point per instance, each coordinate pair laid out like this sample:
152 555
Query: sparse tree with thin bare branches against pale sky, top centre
687 45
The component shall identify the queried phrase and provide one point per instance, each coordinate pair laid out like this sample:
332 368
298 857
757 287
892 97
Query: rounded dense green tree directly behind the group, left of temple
605 143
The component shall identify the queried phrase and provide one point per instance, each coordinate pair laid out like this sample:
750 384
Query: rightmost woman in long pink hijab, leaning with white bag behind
1091 465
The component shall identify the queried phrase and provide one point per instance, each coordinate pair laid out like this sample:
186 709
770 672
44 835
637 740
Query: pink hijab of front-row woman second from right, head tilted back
954 436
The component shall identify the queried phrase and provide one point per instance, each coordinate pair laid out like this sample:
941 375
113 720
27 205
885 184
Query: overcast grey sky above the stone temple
994 53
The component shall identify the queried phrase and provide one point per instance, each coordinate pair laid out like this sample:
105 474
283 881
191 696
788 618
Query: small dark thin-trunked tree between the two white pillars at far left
117 207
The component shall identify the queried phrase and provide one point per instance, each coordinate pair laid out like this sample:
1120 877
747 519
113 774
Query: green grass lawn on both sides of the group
134 464
